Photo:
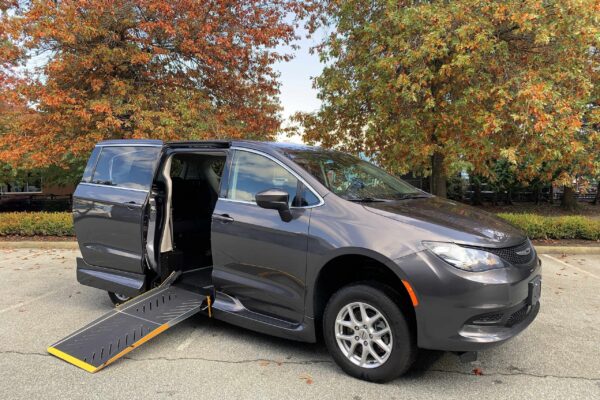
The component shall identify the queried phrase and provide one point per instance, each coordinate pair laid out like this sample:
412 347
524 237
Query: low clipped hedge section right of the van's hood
566 227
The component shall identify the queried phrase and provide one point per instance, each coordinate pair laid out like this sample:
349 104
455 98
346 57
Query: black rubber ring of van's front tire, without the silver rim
403 349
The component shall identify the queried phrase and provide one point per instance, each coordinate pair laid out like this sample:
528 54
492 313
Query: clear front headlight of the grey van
465 258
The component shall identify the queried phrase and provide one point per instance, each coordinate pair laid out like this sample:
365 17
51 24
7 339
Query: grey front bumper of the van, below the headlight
469 311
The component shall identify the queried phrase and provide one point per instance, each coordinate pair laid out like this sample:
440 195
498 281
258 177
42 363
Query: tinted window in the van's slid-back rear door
127 167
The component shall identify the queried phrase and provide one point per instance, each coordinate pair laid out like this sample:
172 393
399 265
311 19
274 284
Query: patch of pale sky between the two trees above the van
297 93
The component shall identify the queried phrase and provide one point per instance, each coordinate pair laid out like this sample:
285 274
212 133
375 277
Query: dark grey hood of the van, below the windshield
450 221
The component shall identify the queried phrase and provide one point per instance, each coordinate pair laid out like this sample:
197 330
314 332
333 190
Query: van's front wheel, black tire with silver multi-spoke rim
400 342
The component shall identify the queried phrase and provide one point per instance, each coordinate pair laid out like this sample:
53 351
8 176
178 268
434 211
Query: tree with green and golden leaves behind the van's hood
419 85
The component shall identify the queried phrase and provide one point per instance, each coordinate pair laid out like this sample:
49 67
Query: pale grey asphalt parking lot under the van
558 357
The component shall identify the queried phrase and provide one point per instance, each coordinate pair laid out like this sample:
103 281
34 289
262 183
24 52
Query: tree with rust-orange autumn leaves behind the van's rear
104 69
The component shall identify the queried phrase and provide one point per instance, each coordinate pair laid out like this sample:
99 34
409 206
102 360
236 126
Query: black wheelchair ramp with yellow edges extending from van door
131 324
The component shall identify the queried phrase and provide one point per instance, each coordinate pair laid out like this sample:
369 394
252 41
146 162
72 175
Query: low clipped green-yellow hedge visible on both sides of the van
536 226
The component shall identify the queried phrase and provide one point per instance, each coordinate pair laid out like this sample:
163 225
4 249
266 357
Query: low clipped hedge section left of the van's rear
36 224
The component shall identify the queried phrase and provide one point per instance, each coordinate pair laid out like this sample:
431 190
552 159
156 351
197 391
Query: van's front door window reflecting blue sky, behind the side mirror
252 173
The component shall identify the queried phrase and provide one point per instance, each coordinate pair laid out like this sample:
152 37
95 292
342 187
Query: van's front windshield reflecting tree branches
352 178
